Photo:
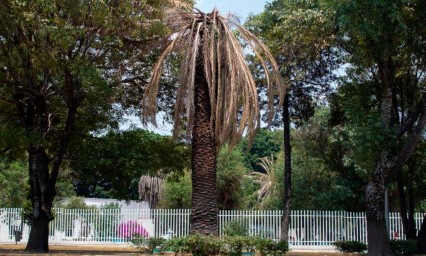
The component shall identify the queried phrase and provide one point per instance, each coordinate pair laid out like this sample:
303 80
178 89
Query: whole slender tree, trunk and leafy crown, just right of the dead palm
300 36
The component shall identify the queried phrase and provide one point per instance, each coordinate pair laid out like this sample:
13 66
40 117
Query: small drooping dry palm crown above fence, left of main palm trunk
149 189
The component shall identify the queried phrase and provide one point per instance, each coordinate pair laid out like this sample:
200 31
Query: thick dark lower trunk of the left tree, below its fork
41 200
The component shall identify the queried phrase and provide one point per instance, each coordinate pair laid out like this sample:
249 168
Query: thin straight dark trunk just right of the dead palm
285 219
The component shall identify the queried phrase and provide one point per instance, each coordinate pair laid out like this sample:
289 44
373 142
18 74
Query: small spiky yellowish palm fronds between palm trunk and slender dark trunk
265 180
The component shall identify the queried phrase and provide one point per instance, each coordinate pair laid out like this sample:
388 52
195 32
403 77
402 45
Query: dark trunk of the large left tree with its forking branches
42 178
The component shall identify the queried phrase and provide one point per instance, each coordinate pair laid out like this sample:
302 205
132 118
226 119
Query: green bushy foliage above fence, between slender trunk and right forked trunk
322 179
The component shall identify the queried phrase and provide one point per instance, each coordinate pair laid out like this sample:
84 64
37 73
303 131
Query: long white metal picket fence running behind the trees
307 228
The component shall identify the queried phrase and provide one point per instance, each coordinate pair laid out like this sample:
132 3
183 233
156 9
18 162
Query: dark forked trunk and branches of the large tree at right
389 162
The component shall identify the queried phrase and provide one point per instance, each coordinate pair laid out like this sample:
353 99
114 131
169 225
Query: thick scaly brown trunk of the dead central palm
204 193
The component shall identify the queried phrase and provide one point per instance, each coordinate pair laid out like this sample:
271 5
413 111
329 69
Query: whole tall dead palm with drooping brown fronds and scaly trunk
216 99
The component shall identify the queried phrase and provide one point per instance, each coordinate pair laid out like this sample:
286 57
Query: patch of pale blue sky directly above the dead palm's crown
240 8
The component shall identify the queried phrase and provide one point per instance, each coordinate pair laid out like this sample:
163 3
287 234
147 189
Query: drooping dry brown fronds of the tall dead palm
232 89
